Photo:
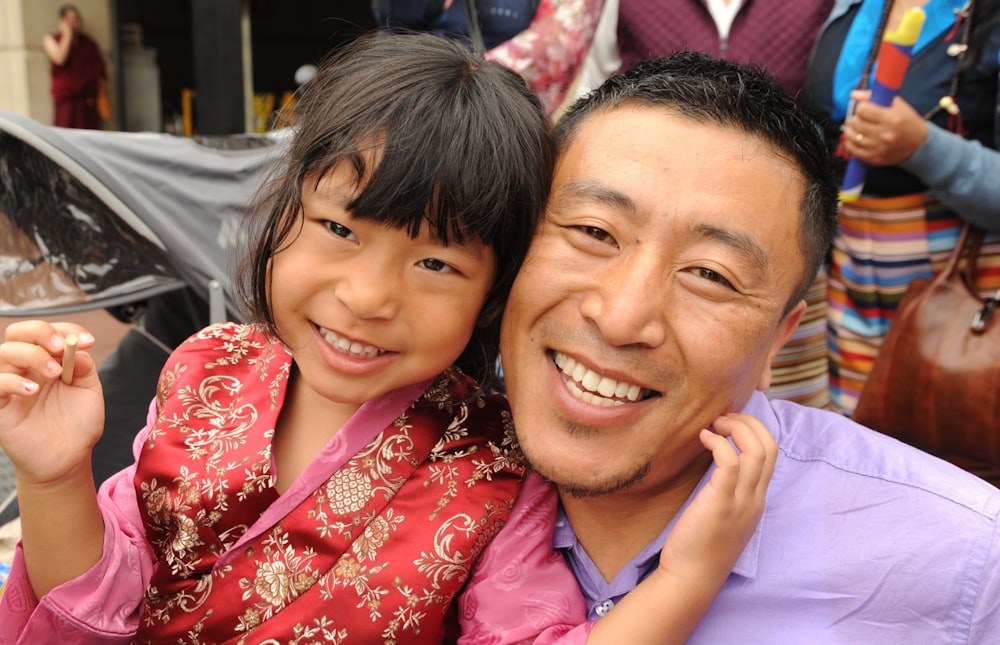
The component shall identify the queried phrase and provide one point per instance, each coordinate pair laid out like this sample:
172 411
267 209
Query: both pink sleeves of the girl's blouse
521 591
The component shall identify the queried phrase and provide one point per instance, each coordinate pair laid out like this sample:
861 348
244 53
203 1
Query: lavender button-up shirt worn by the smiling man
864 540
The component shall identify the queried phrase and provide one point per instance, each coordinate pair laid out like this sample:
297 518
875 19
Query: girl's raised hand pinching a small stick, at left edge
48 428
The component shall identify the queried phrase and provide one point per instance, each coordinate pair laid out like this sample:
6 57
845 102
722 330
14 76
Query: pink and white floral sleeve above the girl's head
550 51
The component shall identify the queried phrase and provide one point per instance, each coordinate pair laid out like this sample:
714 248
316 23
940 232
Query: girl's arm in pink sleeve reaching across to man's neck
696 560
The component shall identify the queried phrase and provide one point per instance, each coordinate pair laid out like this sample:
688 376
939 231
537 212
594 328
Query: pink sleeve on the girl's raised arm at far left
100 606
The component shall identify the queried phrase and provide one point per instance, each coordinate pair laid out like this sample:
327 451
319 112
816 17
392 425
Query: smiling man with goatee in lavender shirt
691 207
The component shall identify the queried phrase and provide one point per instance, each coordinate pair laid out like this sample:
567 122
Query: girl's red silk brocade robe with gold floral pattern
375 555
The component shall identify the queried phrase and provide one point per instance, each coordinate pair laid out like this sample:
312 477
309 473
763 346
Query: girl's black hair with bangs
462 144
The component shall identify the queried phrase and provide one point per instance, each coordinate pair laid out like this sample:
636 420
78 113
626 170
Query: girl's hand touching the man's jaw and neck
712 532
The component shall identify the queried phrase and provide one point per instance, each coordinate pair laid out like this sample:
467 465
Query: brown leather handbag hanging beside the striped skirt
936 381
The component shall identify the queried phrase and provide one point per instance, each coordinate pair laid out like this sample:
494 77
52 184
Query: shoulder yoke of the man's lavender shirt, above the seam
822 445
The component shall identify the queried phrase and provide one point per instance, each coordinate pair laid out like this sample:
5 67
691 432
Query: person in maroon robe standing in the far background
77 70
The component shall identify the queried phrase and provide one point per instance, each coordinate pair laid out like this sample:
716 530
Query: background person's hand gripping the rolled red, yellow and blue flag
883 136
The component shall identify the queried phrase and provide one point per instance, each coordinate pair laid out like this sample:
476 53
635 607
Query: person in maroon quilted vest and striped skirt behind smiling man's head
775 34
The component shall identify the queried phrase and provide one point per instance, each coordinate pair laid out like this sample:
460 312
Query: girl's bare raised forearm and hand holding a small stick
48 429
